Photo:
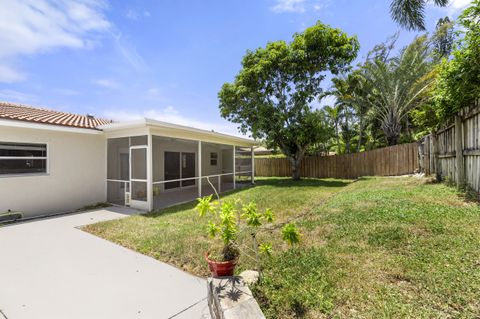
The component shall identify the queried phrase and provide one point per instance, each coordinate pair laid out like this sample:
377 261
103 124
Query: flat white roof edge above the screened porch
178 131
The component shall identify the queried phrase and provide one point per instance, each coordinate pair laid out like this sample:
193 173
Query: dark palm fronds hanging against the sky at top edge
410 14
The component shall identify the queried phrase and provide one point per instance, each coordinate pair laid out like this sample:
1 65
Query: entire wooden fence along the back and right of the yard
452 152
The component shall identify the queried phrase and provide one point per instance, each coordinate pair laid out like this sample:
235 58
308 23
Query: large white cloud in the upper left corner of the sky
30 27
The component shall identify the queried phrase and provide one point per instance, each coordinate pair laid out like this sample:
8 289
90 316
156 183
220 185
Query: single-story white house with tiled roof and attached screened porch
53 162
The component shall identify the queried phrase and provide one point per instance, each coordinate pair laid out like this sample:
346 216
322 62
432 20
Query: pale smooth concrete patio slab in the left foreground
51 269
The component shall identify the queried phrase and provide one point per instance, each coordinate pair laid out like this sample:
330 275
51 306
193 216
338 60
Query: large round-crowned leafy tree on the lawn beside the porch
272 94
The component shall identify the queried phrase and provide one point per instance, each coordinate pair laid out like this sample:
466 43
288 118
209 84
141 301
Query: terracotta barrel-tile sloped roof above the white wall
19 112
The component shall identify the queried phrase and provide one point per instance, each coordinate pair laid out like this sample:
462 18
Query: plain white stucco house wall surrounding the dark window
75 178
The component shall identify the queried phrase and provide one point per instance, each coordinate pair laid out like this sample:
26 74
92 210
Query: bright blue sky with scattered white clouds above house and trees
162 59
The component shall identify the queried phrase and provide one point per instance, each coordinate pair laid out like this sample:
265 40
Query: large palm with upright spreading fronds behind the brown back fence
398 86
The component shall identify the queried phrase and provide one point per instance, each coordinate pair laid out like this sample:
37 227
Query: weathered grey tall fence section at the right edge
453 152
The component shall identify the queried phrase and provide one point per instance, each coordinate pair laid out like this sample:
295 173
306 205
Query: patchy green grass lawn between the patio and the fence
376 248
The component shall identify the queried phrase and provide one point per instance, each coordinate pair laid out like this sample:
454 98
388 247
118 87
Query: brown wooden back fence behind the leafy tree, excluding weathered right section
388 161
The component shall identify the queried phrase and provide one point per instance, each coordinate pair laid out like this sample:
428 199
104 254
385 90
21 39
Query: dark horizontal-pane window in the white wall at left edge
22 158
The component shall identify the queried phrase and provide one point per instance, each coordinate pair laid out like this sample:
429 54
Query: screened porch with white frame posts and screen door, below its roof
156 171
